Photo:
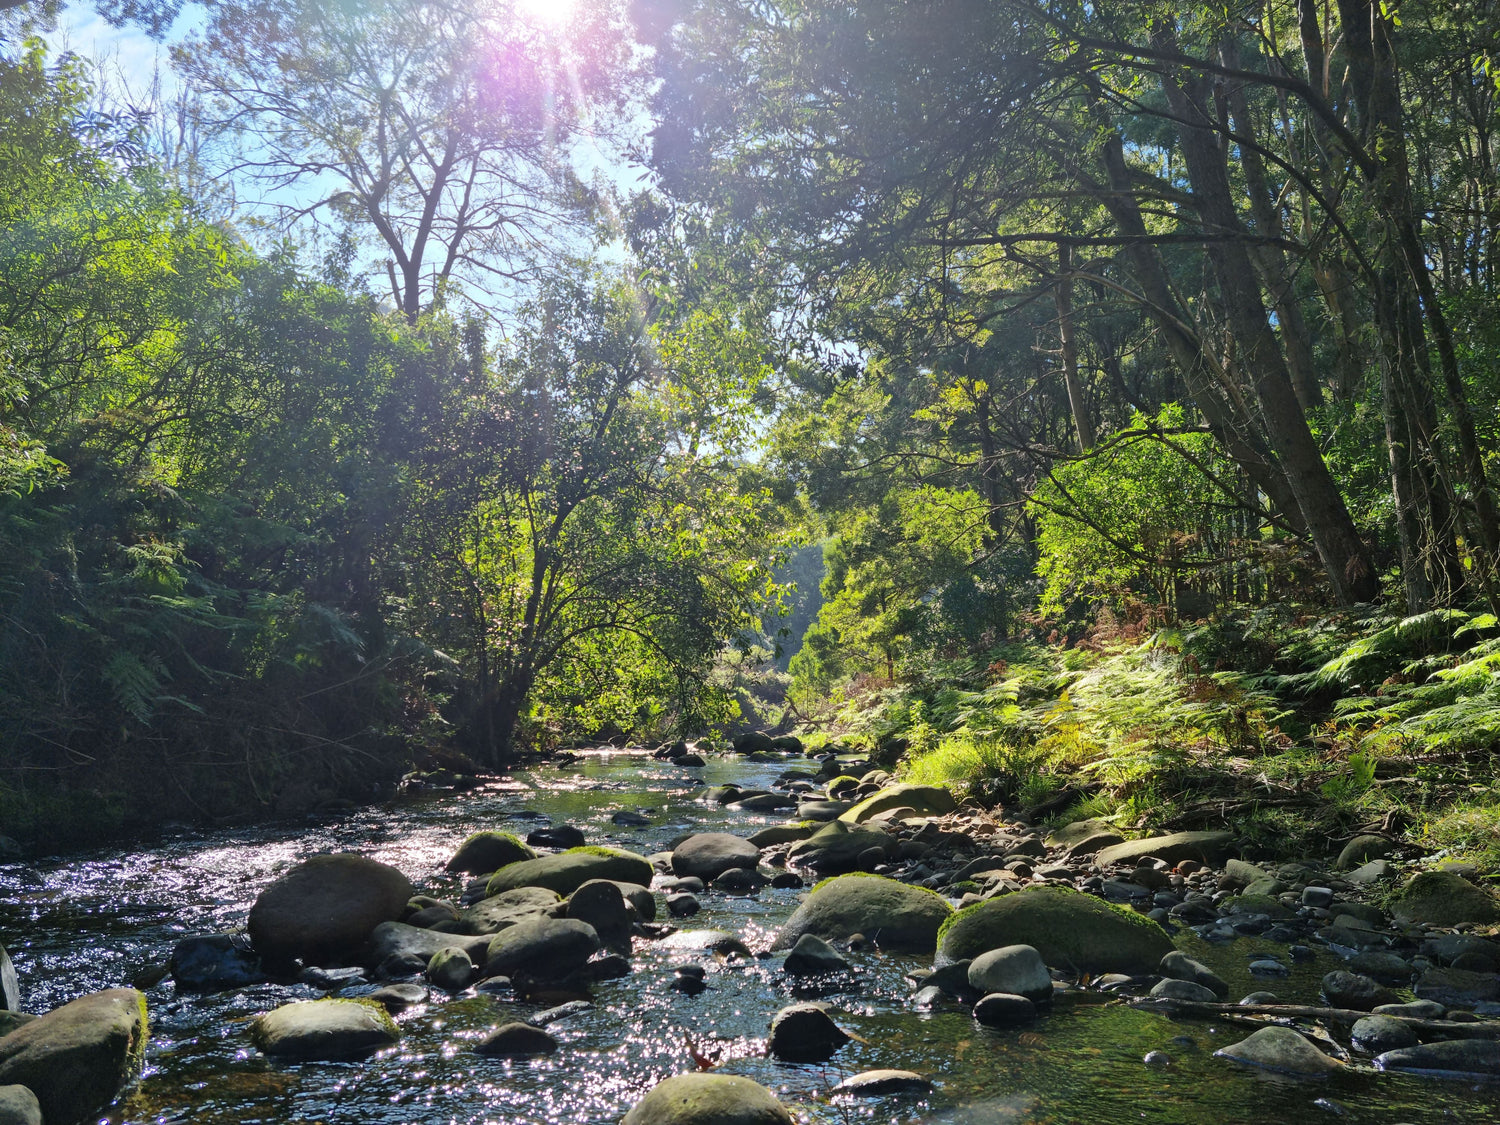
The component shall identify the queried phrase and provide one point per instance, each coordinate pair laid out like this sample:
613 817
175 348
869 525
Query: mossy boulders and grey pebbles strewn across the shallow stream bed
1007 925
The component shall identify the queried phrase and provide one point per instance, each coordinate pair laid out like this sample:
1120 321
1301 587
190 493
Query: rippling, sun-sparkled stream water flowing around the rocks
91 922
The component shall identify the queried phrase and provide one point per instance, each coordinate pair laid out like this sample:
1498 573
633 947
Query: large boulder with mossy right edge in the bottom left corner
77 1058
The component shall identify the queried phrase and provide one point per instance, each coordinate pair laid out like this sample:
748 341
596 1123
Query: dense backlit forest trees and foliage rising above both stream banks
418 379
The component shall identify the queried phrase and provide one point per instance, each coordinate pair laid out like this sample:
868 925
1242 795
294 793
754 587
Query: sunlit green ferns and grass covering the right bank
1298 731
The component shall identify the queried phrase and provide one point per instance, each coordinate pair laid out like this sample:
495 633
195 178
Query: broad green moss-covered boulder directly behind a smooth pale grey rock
1070 931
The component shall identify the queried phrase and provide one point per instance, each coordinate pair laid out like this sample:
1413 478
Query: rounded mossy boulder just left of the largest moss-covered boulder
892 914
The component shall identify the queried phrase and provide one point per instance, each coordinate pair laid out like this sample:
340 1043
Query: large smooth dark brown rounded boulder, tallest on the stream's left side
323 911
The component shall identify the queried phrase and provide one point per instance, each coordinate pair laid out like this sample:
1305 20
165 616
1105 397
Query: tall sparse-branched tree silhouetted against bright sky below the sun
443 133
